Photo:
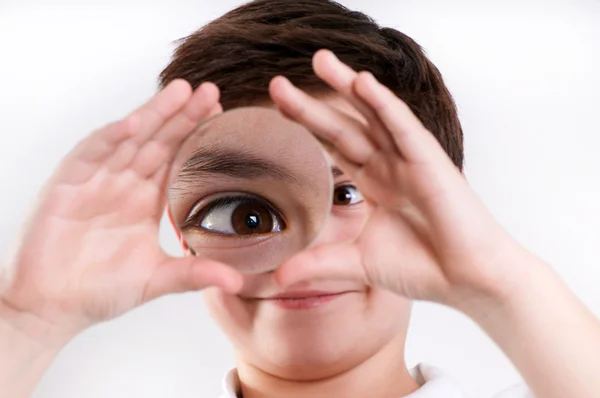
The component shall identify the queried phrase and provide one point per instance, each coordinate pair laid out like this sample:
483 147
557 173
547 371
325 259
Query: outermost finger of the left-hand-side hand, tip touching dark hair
162 107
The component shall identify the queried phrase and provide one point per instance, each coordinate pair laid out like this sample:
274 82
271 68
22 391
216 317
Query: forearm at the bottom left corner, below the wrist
23 358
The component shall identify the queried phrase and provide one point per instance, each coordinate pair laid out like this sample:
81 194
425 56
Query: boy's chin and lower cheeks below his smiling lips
316 343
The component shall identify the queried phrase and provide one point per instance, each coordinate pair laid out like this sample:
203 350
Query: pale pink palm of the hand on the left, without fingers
98 245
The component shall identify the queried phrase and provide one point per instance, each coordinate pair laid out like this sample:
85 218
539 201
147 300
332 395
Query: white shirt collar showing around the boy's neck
434 384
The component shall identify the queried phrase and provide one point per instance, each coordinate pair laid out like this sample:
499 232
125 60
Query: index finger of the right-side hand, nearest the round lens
345 133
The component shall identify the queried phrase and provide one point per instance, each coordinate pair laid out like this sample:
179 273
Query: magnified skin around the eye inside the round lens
303 195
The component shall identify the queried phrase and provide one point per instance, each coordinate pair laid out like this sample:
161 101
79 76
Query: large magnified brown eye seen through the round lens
237 215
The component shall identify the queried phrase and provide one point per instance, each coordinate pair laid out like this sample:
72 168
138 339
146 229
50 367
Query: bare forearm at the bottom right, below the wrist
547 332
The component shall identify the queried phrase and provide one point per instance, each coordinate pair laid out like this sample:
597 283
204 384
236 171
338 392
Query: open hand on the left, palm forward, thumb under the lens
90 251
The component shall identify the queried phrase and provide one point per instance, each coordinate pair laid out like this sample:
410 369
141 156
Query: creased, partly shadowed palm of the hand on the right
405 245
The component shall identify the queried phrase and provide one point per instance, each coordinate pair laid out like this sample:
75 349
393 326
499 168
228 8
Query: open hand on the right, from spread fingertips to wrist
427 235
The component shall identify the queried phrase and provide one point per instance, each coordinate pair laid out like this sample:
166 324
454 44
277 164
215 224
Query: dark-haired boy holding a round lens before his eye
92 253
